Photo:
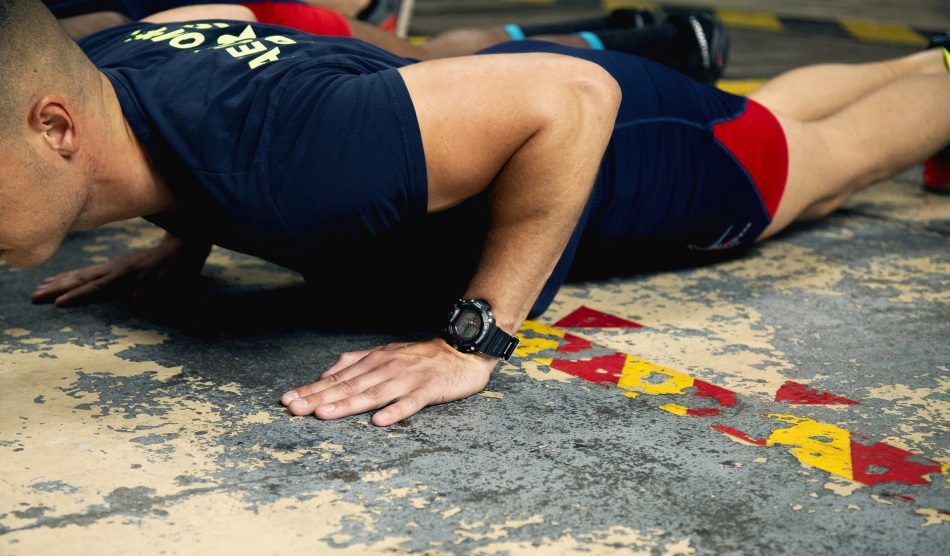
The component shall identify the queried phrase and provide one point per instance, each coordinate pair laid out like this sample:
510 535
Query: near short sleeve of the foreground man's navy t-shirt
345 159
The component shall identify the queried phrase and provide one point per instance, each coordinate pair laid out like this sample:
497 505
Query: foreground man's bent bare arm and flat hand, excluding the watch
532 128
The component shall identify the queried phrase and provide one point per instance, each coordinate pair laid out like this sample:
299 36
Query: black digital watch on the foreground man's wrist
472 328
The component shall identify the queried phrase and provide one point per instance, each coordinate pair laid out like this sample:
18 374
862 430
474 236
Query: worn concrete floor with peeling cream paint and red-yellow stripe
792 402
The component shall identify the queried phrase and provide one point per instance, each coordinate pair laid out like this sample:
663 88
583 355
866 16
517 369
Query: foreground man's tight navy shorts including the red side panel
692 174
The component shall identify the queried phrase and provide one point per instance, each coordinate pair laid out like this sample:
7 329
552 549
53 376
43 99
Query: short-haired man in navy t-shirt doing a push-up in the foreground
469 185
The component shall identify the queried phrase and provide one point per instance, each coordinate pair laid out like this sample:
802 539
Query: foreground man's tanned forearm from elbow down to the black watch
538 198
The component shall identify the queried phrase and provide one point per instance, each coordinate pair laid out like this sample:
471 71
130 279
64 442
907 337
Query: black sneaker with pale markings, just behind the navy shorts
707 62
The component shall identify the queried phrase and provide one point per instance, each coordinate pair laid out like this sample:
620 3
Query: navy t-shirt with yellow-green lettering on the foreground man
301 150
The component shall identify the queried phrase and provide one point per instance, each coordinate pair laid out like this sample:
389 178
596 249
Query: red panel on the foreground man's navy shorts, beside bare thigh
756 139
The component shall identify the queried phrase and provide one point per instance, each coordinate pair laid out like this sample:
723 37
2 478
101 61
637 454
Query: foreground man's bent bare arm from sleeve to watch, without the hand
530 127
